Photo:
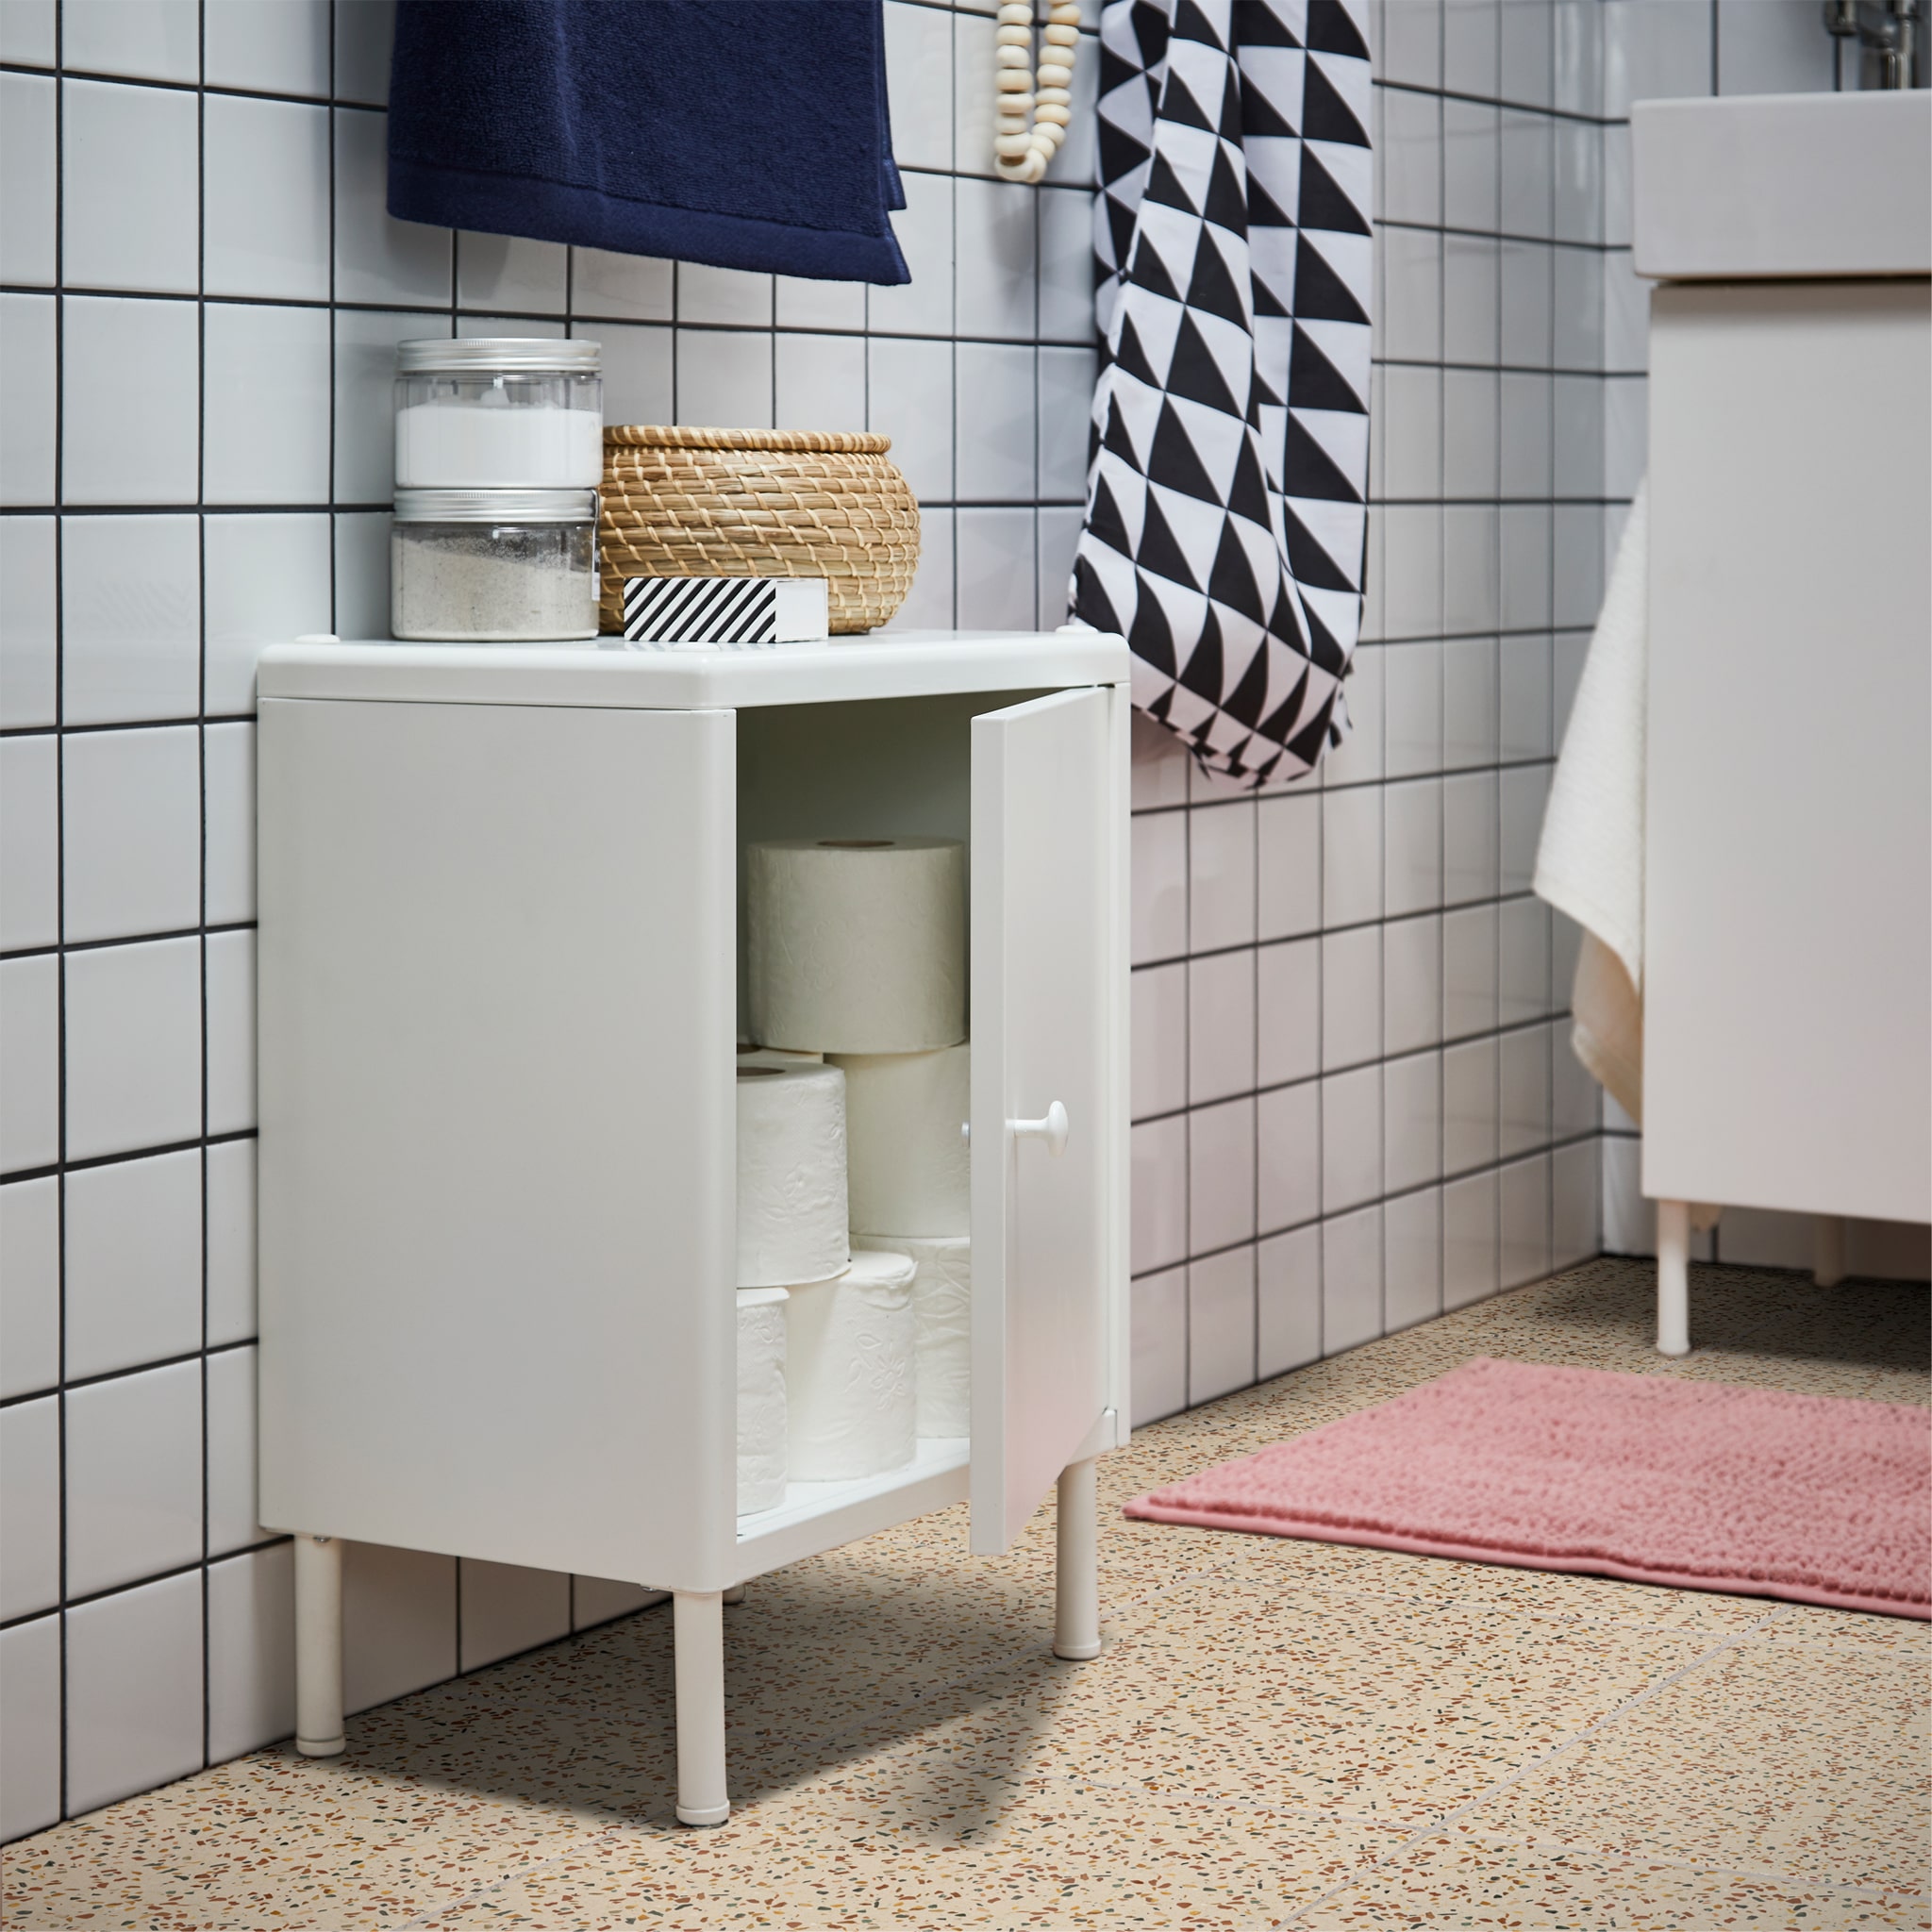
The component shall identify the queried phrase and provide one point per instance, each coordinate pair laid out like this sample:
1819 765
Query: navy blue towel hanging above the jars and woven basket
745 136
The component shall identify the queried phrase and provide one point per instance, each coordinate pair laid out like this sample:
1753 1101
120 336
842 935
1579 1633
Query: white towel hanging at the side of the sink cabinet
1591 861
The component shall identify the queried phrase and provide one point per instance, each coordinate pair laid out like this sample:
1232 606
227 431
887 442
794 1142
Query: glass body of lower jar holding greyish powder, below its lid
494 582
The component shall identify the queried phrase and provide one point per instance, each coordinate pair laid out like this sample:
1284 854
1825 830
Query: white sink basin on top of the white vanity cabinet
1763 186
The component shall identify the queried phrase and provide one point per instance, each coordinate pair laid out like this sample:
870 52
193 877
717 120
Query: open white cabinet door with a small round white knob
1042 1035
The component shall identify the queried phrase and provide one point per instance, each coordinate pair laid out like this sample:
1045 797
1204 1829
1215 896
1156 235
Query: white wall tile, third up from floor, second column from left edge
134 1263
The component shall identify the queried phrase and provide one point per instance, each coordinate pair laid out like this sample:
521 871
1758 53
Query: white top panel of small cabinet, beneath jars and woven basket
911 664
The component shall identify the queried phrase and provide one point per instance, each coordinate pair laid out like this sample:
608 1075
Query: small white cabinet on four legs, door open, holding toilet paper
501 977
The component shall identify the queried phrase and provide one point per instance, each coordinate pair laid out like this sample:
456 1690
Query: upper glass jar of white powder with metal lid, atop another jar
499 412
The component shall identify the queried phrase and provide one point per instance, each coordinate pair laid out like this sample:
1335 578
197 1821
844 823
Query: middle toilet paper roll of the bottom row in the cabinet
849 1373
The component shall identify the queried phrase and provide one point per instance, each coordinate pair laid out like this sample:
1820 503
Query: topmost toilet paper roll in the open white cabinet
857 946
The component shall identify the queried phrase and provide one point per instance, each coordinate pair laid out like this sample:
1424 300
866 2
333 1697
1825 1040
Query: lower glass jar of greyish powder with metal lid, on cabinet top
494 565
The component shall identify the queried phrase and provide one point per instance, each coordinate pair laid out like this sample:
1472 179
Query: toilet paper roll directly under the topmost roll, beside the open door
907 1162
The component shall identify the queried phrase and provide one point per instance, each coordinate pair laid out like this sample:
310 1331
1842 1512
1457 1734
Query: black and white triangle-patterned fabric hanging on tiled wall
1226 494
